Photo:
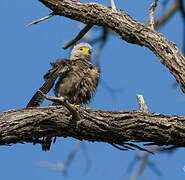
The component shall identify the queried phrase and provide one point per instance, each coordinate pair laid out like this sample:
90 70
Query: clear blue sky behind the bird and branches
25 55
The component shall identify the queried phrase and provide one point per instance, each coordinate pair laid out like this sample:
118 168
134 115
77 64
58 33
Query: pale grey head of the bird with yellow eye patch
82 50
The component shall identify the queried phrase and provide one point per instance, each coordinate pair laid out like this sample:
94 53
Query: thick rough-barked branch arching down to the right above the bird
129 30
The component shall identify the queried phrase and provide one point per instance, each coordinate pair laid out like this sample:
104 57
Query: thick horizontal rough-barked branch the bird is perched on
27 125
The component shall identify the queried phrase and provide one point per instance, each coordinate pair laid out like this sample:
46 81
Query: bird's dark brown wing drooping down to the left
54 73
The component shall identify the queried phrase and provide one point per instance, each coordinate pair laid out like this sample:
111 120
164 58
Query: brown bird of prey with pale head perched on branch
78 80
